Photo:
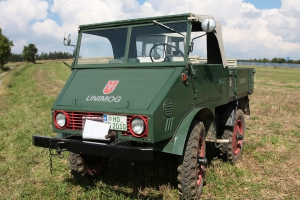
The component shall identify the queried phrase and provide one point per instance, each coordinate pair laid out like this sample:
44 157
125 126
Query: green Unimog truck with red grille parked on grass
134 90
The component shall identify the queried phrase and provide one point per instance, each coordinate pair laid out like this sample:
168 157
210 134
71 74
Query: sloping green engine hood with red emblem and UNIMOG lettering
114 88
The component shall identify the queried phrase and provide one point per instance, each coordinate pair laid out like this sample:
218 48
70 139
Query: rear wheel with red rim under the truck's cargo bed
236 136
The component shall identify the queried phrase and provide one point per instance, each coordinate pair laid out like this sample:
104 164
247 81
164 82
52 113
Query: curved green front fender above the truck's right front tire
176 144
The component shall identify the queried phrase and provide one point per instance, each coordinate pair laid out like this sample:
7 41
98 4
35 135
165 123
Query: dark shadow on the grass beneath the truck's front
136 180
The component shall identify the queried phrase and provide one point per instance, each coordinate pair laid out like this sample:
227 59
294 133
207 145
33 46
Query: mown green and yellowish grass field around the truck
268 169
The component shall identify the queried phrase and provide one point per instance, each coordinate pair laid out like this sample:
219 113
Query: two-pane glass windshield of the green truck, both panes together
152 43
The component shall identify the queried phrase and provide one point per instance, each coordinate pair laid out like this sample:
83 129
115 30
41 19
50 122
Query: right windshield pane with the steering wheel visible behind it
158 44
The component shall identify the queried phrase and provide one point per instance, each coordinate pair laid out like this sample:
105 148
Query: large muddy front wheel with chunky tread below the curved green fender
190 171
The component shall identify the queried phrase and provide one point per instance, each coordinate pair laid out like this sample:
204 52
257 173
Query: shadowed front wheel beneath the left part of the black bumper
82 165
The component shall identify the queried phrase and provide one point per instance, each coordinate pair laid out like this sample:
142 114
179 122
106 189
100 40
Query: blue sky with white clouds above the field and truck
251 28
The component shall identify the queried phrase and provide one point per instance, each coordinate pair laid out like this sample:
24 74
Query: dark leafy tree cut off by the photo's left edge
5 49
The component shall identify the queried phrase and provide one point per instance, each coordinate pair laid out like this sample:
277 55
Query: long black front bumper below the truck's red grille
121 150
